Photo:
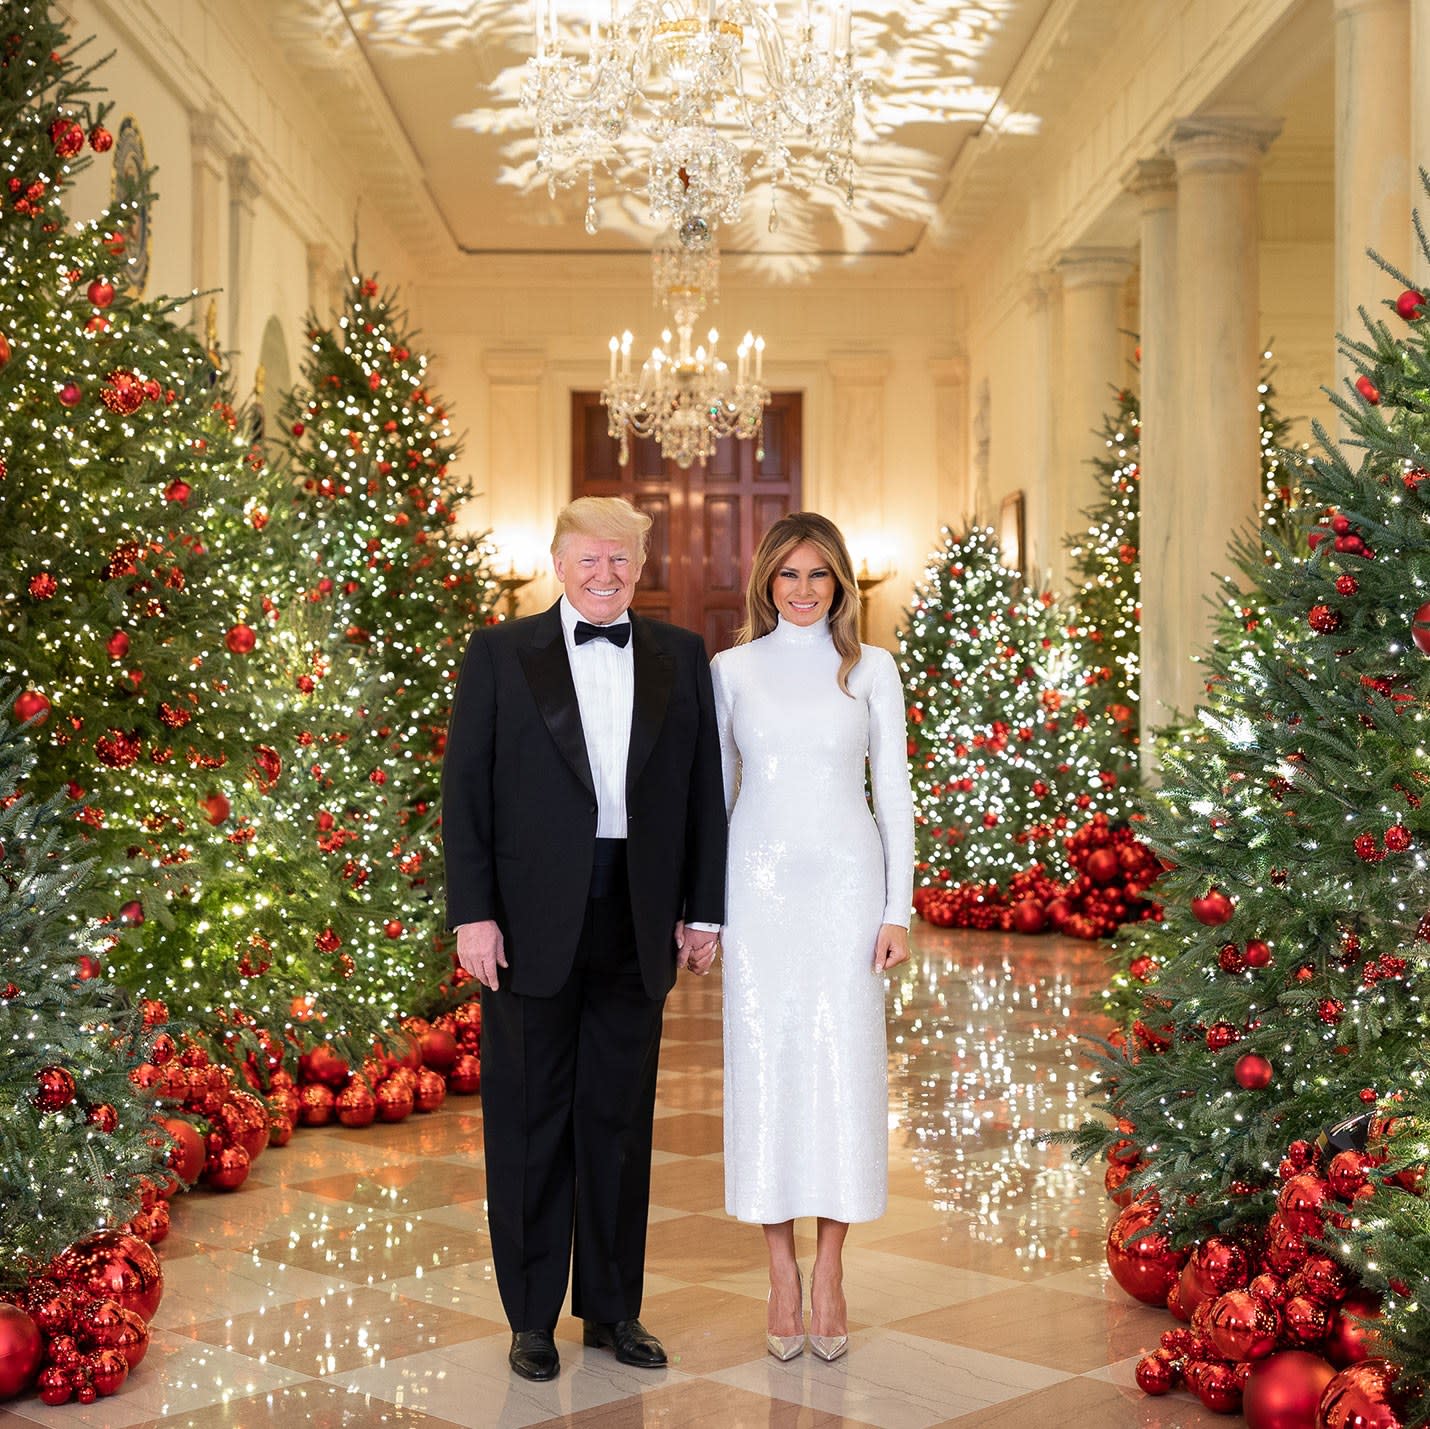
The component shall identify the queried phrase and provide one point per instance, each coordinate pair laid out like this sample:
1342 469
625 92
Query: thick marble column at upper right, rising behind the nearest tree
1374 137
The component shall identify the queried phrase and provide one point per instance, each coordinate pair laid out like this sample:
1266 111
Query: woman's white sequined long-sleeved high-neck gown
812 876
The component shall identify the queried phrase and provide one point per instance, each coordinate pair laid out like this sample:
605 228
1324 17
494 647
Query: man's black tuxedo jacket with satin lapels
520 805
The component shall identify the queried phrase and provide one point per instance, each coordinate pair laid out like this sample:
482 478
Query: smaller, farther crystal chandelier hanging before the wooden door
686 397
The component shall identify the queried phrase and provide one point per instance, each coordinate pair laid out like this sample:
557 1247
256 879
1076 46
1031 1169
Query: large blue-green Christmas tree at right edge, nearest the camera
1291 998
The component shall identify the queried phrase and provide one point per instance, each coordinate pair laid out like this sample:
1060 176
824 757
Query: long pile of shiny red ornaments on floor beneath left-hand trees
82 1325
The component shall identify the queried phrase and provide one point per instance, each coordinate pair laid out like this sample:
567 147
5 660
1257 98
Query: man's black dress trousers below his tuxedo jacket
568 1098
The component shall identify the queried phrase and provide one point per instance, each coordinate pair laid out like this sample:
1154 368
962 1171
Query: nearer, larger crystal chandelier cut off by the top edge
673 75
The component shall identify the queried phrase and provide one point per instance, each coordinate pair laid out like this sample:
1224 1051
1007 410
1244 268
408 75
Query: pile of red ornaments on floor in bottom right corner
1273 1320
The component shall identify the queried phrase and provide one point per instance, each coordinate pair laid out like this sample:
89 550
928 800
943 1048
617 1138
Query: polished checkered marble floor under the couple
350 1282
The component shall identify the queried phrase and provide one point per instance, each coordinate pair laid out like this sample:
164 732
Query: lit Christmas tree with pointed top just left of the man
368 494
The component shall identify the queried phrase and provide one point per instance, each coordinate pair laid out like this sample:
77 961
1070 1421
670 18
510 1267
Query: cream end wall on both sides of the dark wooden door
513 351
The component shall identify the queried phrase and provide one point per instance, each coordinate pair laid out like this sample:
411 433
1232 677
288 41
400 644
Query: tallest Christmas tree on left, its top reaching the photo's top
155 669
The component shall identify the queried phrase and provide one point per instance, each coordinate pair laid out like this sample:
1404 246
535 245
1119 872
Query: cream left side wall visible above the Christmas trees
205 85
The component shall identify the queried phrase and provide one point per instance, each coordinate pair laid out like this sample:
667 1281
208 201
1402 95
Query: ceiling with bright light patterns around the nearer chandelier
431 89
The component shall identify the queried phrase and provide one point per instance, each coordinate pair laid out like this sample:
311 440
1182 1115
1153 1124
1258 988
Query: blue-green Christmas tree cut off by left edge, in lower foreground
77 1138
